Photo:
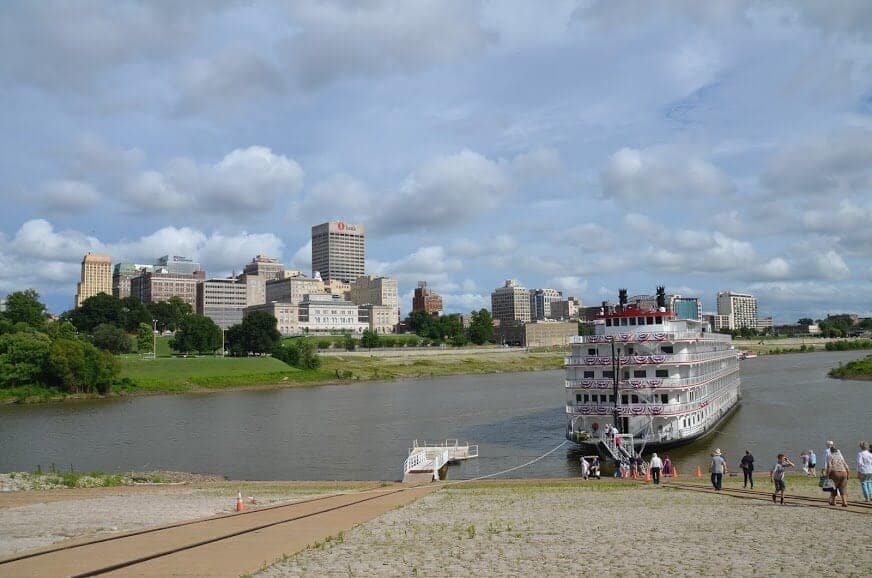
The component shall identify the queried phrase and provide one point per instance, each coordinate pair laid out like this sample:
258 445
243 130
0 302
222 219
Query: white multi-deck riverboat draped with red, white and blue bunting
659 380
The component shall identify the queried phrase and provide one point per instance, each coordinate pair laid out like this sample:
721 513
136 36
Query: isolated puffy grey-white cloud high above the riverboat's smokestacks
659 175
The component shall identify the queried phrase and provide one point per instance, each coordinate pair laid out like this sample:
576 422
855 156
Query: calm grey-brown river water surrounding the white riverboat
362 431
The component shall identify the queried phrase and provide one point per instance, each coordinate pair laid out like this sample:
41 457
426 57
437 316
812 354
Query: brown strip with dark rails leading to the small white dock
221 546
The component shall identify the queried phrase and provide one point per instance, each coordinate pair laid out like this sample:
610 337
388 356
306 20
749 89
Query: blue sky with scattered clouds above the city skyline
581 145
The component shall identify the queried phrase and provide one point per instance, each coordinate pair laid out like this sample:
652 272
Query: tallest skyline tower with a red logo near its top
338 250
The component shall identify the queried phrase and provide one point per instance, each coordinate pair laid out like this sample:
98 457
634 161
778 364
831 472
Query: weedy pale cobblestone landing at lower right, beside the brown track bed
602 530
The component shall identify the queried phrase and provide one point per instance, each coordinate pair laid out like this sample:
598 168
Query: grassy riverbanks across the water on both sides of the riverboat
168 374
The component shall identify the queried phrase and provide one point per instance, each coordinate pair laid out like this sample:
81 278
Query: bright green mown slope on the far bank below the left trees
188 373
